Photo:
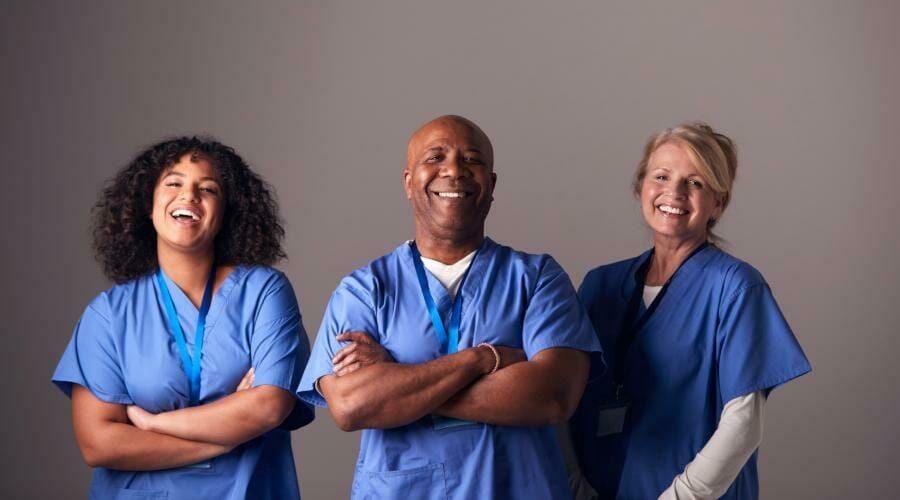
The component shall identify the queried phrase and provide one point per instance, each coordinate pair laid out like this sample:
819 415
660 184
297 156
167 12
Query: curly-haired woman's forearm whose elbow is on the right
230 421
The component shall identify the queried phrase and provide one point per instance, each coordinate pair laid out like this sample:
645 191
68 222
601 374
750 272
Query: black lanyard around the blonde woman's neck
633 322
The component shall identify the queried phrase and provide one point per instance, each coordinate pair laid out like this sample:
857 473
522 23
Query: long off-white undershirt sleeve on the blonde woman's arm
716 466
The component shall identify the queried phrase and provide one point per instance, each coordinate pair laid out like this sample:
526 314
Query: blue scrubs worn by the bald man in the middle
509 298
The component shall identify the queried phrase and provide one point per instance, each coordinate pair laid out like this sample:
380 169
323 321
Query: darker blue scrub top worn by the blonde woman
715 335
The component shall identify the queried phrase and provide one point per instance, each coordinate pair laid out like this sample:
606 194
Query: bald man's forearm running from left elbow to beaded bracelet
386 395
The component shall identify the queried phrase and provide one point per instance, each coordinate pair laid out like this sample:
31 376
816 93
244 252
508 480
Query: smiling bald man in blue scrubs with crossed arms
455 355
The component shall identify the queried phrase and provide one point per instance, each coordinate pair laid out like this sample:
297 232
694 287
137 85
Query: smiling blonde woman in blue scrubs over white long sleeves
694 338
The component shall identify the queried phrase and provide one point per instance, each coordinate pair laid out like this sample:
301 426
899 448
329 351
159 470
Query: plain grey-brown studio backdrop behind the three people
321 96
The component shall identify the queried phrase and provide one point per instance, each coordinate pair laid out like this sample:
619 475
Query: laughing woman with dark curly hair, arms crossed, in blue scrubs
187 231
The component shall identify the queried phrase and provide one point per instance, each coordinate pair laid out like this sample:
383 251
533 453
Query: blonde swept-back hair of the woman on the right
714 154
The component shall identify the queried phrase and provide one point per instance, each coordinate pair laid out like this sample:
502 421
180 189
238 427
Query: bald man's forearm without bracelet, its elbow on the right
542 391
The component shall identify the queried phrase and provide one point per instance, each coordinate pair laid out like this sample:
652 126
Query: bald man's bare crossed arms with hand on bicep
369 390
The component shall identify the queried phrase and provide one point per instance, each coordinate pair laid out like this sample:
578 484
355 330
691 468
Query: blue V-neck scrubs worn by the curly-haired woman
123 352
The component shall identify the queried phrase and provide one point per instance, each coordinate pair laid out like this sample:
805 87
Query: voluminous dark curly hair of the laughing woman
124 237
